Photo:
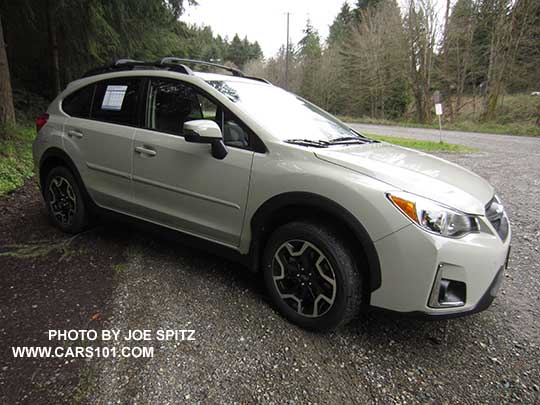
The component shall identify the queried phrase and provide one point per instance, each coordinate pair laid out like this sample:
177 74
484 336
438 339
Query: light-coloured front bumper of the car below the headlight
411 263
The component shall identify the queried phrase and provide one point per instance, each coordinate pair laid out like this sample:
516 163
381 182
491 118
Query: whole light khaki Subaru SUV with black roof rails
335 222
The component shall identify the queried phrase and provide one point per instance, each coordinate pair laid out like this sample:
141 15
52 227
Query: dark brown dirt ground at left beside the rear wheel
49 280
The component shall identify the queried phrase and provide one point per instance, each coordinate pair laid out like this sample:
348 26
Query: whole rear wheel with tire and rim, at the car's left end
65 202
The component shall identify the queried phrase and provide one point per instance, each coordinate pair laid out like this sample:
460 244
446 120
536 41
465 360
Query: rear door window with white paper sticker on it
115 101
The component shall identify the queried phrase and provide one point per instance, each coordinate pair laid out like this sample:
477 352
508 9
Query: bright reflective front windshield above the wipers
287 116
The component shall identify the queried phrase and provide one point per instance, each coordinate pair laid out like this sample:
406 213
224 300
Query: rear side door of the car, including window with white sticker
102 139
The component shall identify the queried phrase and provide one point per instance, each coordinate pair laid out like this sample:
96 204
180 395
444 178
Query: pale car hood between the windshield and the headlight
415 172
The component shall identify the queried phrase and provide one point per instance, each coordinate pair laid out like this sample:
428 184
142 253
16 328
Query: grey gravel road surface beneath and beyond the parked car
244 352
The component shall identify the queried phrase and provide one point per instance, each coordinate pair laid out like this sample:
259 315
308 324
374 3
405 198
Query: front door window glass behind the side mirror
171 103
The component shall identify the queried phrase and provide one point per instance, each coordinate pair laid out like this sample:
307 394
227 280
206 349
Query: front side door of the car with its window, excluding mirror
180 184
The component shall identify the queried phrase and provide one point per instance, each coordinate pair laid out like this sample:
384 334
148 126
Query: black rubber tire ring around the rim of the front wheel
341 262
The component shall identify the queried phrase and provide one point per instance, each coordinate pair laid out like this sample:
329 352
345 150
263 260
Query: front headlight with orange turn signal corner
434 217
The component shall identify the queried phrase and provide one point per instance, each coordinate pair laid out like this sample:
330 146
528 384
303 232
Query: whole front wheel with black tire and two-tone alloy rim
311 276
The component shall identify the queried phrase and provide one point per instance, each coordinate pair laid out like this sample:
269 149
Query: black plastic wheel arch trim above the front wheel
264 214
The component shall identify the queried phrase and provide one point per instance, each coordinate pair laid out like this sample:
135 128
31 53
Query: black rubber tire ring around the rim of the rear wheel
80 219
